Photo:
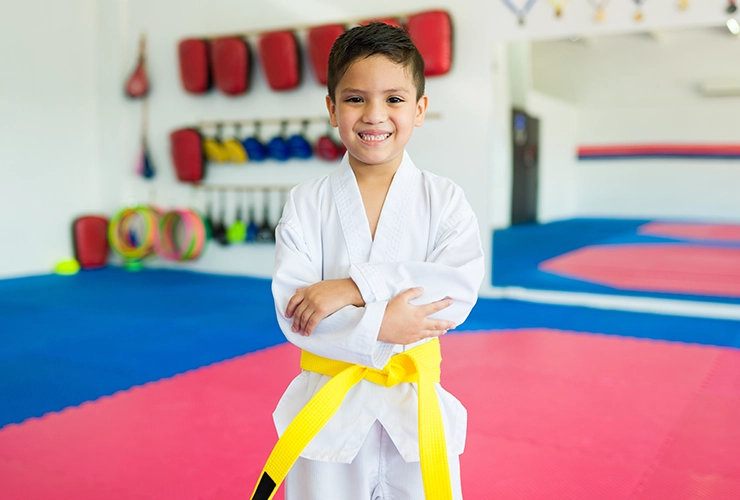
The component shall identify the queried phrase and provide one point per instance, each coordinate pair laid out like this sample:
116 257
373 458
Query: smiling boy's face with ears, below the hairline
375 111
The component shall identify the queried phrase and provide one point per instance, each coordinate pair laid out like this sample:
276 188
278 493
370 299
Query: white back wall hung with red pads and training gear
456 145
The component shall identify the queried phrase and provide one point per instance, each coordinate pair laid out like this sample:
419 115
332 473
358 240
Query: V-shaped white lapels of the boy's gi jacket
393 217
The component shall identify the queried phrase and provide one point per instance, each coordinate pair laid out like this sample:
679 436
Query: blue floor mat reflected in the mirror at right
518 250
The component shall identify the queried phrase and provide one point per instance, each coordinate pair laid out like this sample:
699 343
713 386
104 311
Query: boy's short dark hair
374 38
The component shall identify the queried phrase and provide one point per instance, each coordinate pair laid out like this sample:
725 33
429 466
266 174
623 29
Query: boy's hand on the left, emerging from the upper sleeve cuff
312 304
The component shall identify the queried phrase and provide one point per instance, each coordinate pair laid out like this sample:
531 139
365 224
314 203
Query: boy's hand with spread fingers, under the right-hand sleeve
405 323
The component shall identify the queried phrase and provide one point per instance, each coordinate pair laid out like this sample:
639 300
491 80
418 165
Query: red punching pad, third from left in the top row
281 60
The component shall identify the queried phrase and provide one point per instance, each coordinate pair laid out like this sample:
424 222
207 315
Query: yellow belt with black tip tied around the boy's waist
420 365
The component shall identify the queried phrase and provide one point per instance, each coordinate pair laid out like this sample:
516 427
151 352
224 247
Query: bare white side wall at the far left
49 169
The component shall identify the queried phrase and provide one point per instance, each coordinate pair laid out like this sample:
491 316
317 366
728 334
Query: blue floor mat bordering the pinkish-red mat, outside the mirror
66 340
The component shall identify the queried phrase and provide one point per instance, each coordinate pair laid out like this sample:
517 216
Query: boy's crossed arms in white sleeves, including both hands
361 318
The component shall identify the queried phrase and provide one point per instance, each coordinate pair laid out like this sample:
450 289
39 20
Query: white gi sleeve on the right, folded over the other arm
454 267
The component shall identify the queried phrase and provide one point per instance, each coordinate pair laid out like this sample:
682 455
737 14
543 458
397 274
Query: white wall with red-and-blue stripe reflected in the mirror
639 88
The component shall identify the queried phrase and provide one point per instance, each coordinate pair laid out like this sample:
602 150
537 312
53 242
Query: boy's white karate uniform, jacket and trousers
428 236
